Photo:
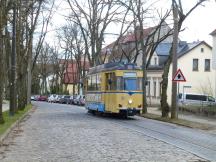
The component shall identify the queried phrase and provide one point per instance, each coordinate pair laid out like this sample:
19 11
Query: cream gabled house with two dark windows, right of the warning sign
195 63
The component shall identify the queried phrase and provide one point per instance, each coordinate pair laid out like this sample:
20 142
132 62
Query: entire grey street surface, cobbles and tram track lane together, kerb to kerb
57 132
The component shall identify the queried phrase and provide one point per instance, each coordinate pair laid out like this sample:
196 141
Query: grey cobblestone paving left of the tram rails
67 133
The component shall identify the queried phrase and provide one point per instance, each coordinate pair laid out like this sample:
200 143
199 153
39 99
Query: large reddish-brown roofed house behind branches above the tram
124 49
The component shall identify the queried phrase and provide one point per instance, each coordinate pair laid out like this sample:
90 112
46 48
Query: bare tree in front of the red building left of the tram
72 43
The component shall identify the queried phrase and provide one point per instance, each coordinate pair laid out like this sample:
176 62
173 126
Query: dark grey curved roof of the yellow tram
113 66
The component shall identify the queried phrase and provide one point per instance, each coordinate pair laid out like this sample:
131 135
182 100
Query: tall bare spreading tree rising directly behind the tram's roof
93 18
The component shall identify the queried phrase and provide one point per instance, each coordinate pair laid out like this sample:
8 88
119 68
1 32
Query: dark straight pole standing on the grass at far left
13 96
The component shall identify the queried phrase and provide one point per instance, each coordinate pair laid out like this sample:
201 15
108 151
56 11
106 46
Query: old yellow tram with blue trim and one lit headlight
114 88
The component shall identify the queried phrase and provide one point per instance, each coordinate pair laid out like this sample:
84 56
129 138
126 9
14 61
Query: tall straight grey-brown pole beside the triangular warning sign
174 105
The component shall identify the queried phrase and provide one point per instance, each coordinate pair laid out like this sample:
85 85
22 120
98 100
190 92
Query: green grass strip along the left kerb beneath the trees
9 120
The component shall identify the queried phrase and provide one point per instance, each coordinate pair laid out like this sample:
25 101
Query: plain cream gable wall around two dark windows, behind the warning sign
201 81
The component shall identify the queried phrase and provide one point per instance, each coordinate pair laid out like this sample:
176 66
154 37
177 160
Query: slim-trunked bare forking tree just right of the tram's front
145 41
